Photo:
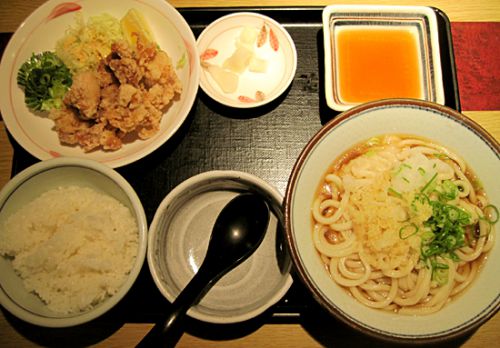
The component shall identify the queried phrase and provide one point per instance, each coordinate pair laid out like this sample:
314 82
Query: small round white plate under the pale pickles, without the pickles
222 35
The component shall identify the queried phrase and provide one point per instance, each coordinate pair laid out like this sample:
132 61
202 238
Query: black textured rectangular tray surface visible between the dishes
264 141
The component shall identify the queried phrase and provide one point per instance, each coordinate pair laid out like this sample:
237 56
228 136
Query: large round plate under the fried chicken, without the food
34 132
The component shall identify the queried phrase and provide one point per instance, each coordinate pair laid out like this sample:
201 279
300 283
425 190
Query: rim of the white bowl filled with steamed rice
138 213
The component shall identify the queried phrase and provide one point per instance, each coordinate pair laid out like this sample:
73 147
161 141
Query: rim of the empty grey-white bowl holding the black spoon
210 177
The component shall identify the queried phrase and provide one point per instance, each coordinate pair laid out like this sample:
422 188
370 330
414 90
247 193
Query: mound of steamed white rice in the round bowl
72 246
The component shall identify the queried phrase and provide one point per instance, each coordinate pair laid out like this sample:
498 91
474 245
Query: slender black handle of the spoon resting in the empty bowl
168 332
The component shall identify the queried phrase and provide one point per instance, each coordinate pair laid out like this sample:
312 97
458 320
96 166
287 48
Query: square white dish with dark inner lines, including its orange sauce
377 52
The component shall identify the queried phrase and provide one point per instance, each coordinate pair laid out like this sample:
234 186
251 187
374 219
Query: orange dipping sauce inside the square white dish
375 63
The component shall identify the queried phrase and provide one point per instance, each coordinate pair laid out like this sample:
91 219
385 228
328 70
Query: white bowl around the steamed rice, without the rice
30 184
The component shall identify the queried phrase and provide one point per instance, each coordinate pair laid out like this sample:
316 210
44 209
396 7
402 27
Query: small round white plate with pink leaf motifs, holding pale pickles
271 47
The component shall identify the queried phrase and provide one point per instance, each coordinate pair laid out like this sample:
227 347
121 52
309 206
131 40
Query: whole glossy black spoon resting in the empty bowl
237 232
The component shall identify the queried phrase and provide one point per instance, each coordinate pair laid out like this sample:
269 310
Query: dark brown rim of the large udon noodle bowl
301 269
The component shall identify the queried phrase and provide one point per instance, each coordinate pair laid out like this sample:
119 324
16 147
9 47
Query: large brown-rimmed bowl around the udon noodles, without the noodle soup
441 124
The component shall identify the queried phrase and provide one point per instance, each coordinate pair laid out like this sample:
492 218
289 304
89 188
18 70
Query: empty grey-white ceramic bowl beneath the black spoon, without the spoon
178 240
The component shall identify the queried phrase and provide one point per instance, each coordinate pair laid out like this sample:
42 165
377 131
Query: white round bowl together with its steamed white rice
73 237
